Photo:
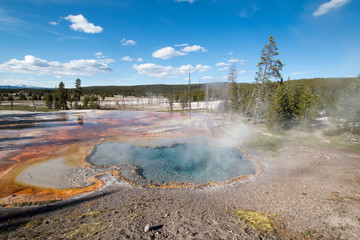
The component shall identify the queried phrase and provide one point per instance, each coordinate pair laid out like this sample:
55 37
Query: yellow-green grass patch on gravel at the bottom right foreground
256 220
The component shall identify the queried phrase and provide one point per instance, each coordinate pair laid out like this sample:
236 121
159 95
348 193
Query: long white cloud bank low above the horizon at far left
33 65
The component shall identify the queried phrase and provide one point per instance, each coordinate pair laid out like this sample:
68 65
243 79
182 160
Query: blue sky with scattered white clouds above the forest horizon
137 42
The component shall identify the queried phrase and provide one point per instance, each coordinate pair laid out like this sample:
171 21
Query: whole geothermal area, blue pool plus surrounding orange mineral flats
142 148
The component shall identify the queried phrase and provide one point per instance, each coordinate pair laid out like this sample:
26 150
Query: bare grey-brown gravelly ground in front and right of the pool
309 188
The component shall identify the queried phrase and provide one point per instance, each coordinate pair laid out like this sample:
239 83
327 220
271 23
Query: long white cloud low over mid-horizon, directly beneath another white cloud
158 71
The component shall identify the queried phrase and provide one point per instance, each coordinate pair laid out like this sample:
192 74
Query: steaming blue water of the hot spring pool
198 163
